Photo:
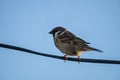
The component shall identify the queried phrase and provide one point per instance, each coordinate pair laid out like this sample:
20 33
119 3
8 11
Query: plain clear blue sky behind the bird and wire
26 23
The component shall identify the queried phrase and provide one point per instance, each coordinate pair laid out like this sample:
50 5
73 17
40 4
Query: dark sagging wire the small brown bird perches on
60 57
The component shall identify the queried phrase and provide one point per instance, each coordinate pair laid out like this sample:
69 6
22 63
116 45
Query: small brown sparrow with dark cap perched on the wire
70 44
